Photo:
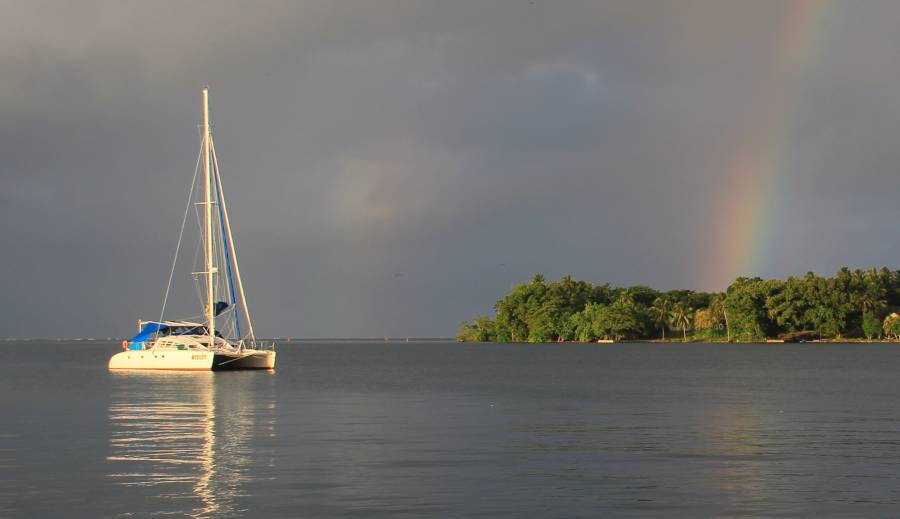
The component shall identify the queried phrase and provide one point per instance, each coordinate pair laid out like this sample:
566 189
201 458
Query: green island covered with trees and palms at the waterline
853 304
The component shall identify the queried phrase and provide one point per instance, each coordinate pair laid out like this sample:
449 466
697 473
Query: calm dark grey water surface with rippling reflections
448 430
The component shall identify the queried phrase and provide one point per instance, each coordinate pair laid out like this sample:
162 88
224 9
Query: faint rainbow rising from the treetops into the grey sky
747 212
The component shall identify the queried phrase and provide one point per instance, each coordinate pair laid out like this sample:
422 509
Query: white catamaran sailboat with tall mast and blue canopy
202 345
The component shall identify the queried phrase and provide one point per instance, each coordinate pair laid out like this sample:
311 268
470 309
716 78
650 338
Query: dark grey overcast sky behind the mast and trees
395 167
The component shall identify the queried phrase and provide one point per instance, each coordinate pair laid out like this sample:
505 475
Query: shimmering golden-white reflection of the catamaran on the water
183 444
